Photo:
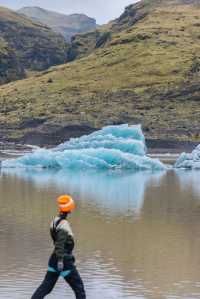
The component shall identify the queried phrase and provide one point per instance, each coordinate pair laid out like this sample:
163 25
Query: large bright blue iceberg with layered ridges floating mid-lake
113 147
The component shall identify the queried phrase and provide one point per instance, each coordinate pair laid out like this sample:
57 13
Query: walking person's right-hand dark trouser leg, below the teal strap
76 283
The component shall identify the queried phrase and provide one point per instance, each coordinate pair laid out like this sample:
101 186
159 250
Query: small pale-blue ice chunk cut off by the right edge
189 161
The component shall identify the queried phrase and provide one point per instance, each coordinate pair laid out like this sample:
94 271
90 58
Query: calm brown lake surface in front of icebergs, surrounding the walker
138 235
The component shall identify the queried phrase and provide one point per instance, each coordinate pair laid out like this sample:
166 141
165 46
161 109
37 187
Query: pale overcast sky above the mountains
102 10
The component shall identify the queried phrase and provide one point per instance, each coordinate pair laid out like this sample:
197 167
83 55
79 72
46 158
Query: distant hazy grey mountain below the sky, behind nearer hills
67 25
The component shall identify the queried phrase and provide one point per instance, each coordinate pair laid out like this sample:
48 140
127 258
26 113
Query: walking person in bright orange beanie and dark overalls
62 261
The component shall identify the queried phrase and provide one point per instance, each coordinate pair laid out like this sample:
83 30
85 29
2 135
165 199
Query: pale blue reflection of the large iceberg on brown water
116 192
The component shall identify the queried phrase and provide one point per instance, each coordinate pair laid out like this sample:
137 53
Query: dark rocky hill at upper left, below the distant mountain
27 45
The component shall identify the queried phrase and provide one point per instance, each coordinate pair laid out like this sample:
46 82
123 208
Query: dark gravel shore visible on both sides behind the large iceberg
52 136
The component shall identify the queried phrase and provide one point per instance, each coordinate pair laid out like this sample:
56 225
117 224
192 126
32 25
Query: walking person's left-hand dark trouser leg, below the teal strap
47 285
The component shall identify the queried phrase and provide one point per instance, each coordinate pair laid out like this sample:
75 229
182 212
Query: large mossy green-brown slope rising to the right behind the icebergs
147 71
